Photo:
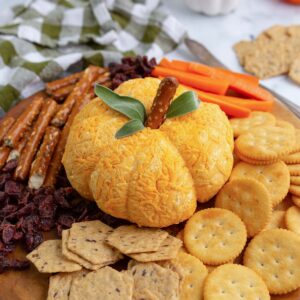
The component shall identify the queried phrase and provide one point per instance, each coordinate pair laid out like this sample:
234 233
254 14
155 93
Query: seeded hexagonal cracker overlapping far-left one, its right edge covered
88 240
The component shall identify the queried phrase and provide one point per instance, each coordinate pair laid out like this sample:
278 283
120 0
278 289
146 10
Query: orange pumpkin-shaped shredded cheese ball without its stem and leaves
154 176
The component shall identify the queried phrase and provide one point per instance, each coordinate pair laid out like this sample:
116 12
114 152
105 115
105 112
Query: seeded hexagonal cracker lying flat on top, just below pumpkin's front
132 239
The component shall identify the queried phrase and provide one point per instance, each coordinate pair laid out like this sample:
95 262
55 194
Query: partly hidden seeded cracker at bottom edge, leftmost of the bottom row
60 285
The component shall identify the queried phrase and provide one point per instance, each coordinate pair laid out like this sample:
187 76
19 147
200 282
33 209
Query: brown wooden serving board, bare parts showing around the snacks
32 285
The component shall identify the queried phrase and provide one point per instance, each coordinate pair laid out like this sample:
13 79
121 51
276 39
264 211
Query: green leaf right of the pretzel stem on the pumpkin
183 104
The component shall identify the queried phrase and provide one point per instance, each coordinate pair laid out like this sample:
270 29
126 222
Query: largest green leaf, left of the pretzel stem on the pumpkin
130 107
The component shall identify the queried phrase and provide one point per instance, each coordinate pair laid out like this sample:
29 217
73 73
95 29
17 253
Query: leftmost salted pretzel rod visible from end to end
25 120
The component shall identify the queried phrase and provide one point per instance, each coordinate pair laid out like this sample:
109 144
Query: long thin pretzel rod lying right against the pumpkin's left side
55 164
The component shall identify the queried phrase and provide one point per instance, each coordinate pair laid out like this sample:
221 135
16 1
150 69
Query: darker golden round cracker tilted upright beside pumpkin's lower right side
250 200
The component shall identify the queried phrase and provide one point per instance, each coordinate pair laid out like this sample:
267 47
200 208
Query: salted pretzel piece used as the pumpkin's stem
161 102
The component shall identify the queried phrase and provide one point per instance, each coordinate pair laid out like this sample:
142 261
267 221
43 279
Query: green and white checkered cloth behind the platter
46 37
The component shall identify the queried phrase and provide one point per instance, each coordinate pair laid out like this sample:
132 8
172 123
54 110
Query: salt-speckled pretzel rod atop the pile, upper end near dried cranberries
82 87
